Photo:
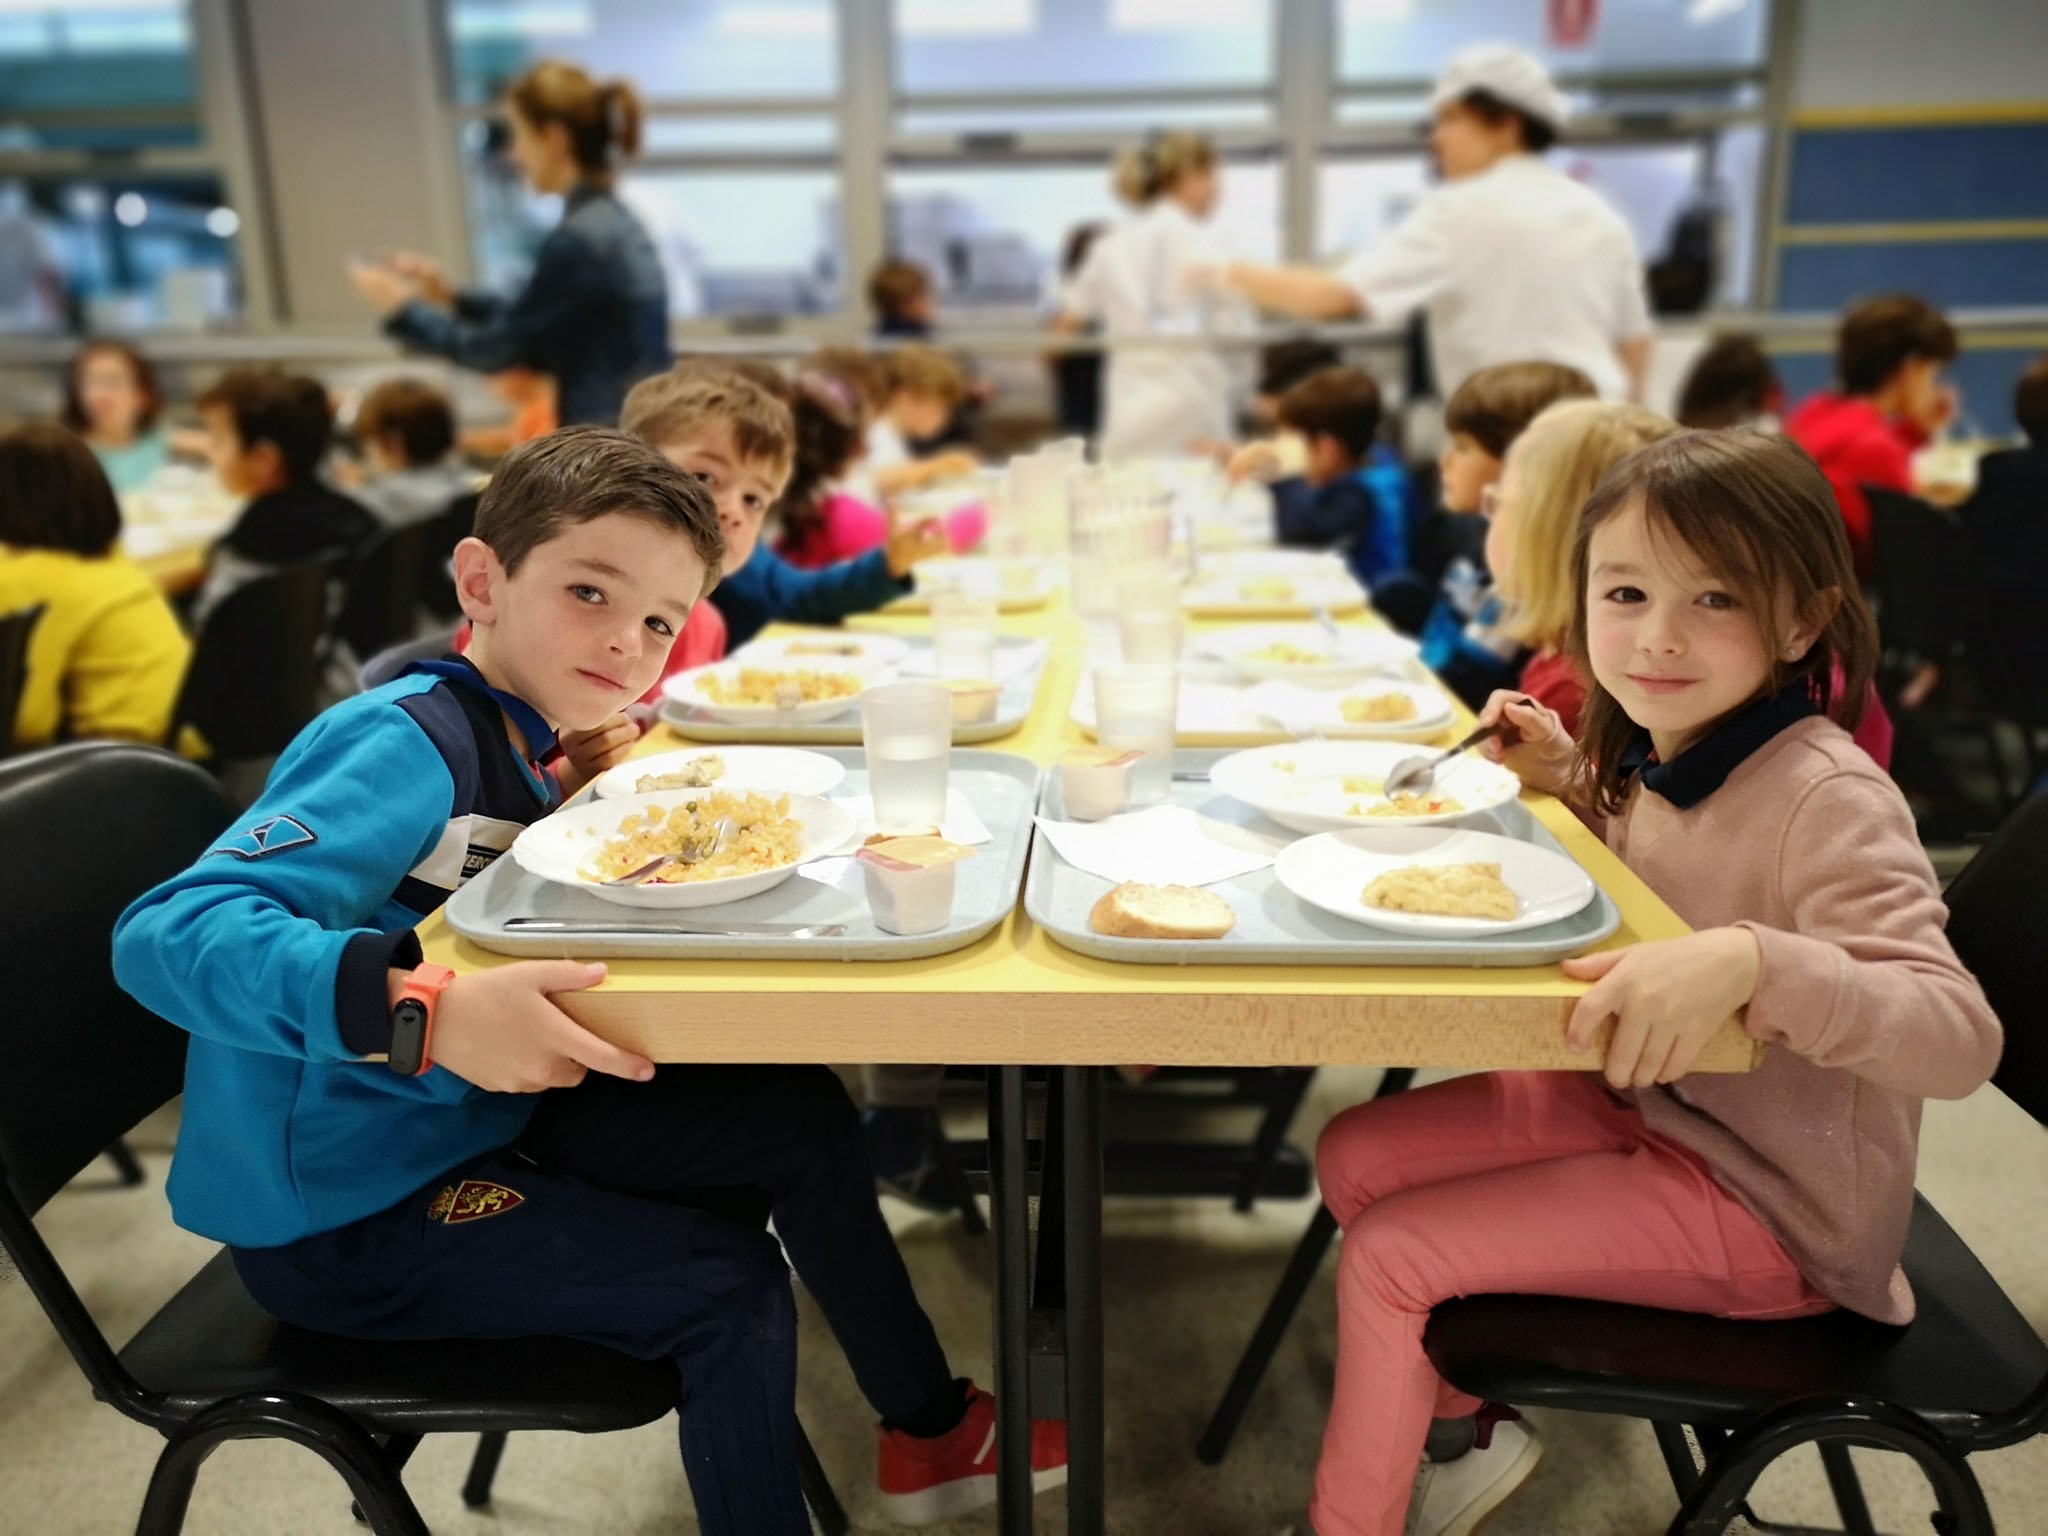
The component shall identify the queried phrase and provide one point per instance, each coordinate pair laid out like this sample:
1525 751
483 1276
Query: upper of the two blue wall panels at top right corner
1908 175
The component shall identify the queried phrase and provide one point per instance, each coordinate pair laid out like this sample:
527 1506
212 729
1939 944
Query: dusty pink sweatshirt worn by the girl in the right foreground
1861 998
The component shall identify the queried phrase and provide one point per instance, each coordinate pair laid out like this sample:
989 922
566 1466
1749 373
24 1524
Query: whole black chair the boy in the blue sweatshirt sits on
101 824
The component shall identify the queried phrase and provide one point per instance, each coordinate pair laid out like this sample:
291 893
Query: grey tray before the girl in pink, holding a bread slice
1275 927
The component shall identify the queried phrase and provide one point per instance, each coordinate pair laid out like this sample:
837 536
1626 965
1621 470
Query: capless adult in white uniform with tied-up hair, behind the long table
1140 280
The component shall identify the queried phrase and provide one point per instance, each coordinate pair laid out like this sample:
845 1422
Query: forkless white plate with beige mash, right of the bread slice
1334 869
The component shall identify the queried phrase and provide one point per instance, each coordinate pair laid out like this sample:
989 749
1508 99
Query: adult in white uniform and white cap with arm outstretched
1512 259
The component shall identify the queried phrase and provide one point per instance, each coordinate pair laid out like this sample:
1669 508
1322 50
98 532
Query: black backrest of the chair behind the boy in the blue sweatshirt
87 828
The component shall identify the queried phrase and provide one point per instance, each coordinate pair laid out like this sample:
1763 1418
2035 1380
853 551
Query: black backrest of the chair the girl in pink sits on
1998 914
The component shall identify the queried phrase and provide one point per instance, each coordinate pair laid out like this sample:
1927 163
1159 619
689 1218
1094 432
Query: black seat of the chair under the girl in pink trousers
1965 1363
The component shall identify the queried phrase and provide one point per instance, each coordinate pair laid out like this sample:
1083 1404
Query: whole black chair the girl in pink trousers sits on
1967 1375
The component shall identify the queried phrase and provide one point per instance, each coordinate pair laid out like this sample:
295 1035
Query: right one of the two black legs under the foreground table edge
1082 1168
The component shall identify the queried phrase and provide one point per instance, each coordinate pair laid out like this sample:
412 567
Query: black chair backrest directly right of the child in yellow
255 675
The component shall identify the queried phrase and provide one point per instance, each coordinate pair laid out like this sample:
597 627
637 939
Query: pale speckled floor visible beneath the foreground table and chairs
1185 1285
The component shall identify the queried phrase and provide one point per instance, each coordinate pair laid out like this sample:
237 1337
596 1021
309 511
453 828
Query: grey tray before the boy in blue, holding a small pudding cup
1000 785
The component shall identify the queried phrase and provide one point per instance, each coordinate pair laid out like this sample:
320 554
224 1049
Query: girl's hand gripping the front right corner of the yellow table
1666 1000
